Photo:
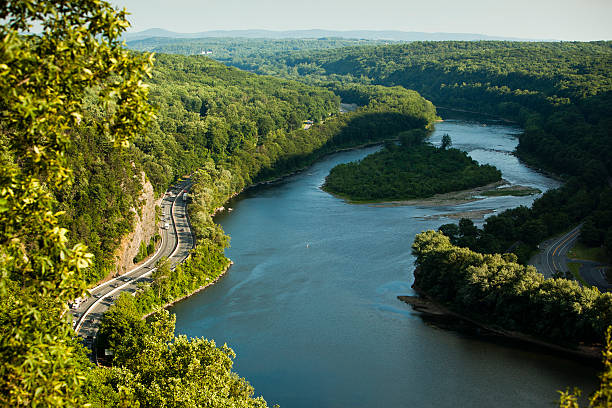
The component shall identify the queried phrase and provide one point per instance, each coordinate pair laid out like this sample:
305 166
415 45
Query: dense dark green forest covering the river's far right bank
560 93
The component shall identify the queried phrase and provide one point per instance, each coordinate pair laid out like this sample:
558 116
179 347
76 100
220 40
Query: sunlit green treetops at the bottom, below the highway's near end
153 368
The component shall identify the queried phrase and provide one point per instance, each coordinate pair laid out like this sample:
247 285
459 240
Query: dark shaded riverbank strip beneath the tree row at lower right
442 316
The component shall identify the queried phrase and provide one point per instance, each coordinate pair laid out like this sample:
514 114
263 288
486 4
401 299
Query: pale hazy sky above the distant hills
542 19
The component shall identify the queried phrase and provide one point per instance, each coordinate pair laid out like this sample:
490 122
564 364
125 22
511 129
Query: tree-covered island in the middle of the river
412 169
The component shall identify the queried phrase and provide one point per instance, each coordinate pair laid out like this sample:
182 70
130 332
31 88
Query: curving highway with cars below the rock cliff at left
177 242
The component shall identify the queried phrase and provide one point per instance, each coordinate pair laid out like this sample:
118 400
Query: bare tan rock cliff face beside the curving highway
144 229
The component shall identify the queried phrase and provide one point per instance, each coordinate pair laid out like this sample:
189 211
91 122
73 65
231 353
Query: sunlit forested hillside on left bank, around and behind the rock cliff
215 117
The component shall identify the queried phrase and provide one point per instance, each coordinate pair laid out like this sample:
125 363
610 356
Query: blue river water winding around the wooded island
310 305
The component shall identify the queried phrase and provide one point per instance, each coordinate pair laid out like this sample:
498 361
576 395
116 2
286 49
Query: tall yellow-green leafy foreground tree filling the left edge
43 80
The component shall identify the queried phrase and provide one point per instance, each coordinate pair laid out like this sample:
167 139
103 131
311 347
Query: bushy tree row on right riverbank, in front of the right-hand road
496 290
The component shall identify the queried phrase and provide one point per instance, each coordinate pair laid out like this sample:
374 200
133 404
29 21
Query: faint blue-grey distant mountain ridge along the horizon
391 35
